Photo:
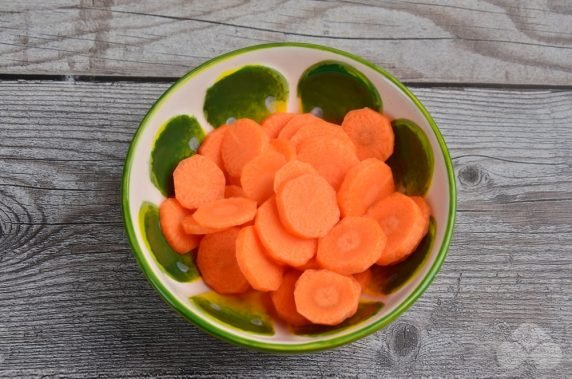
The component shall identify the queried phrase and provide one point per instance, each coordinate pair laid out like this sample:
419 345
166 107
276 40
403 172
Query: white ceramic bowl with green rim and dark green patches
253 82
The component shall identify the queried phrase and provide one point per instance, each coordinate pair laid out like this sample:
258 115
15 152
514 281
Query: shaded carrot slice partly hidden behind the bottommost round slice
283 300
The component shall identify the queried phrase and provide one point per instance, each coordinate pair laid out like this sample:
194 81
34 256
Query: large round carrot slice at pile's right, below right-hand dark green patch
403 224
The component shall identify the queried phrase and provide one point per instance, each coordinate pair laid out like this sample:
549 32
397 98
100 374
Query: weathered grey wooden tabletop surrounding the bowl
76 78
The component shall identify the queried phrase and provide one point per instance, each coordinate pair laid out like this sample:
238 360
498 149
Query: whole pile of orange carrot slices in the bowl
297 207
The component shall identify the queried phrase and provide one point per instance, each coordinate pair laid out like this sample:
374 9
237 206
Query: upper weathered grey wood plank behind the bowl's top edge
506 41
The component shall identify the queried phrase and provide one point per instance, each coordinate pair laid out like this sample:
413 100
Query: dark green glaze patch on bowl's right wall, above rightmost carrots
412 159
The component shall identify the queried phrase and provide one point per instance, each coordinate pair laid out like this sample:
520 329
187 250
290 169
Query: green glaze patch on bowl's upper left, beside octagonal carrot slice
178 139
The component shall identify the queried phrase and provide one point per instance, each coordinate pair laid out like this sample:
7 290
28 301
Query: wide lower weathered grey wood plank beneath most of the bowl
73 301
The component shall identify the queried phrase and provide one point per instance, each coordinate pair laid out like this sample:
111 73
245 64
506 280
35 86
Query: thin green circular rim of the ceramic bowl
326 343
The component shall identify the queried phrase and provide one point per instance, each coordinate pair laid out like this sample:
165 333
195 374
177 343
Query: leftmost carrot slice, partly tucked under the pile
171 213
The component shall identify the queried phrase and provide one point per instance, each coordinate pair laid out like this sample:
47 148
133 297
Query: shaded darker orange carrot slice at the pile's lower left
217 262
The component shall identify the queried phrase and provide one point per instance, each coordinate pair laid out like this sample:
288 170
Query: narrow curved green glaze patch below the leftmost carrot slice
179 267
